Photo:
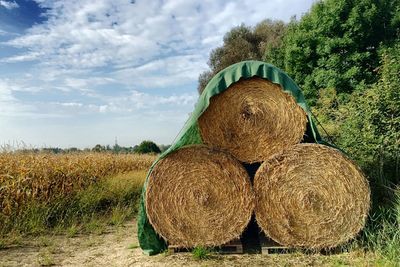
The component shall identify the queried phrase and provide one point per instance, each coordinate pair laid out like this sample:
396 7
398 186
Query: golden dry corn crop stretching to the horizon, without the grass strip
28 176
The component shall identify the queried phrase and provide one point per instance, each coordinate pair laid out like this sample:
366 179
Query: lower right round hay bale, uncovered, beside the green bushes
311 196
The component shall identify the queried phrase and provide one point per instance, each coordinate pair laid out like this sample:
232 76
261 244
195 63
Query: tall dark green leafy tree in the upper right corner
336 44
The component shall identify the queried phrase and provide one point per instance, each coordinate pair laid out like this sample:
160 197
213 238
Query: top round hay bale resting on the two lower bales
253 119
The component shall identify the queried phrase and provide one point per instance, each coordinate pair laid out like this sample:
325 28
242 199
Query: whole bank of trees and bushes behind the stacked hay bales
345 56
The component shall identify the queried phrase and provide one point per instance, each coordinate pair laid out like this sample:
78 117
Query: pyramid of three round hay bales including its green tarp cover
305 195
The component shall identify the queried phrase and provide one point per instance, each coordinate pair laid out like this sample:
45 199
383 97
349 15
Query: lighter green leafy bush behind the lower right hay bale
367 125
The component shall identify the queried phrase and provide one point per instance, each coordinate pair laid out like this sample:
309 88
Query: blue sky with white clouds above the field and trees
76 73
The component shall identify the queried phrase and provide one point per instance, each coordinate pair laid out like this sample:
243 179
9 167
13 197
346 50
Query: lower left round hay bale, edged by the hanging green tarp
198 196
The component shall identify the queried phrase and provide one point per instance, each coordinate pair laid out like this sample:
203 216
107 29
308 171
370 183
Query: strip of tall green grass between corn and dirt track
111 200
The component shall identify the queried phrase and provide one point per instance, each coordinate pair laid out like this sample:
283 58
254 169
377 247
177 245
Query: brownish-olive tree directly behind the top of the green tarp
243 43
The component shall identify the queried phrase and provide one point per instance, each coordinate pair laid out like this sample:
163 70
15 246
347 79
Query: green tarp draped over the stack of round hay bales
149 241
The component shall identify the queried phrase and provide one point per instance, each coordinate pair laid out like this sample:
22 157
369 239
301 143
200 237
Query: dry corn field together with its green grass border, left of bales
44 191
